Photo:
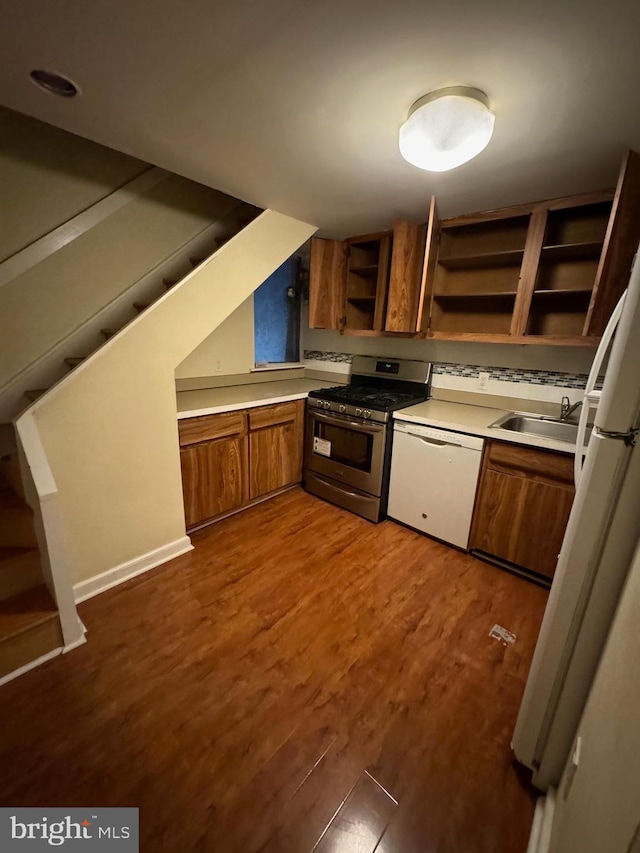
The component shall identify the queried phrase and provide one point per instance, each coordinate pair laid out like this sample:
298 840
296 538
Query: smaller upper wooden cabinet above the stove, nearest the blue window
367 285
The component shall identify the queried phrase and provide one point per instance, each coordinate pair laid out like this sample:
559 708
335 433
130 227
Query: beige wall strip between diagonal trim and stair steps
39 308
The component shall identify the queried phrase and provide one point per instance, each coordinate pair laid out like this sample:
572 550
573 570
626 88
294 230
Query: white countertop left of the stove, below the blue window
212 401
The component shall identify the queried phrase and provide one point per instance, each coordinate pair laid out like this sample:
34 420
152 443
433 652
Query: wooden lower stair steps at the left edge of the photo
29 623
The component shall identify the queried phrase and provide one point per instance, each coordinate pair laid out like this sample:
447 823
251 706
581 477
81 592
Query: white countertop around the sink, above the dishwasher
474 420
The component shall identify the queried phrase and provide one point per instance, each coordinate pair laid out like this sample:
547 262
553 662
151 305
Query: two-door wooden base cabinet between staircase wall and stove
231 459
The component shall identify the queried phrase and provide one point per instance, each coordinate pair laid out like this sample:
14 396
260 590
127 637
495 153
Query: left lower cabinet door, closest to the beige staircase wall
214 478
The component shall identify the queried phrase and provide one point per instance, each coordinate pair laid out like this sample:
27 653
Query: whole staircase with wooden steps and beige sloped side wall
76 456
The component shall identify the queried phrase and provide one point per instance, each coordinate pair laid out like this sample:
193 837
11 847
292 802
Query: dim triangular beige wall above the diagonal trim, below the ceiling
48 176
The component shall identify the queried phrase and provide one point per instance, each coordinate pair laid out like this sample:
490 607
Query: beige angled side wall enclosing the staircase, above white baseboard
110 430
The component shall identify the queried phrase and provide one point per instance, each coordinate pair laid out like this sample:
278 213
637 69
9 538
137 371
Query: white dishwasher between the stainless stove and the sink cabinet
434 477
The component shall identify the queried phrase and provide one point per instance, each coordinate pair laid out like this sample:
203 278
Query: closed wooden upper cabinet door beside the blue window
327 272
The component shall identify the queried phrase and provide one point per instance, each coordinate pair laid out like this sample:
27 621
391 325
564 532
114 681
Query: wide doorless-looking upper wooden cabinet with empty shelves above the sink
549 272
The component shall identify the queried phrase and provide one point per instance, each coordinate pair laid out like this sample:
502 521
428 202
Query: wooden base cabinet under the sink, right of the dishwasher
523 505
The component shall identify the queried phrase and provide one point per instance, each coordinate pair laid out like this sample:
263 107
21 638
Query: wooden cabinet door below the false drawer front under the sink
521 521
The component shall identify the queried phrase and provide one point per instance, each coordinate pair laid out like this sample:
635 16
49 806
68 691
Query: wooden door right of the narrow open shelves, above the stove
405 277
